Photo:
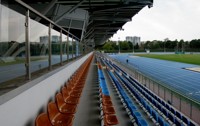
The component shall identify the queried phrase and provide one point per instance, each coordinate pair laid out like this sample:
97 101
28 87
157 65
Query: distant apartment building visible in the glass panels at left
45 39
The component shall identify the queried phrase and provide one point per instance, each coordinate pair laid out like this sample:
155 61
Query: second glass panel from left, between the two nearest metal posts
38 46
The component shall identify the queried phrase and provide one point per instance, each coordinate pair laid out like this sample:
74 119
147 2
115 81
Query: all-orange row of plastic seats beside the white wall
61 112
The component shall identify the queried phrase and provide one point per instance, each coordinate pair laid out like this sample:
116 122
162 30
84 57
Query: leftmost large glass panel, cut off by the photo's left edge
12 45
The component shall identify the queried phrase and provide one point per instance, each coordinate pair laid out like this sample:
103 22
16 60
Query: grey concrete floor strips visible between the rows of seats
88 111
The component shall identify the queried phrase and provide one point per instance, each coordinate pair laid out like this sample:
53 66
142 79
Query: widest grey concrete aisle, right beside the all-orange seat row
88 111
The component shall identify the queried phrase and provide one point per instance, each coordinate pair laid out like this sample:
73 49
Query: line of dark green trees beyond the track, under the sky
154 46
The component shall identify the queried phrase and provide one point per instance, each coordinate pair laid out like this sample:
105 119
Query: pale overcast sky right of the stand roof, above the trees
172 19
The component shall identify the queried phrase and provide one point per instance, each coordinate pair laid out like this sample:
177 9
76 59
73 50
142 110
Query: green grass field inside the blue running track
184 58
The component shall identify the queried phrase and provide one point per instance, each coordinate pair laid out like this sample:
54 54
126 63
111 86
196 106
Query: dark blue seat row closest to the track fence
174 115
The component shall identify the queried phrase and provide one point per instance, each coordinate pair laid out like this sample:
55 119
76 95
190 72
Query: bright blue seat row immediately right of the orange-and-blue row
134 114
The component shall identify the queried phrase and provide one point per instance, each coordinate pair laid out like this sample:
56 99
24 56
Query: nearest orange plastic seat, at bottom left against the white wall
42 120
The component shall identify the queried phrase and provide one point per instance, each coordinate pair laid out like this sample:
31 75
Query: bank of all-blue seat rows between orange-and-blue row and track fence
156 108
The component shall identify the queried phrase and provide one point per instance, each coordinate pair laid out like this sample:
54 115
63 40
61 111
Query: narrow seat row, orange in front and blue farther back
107 110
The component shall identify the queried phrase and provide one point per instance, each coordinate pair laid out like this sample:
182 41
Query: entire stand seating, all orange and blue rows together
143 107
